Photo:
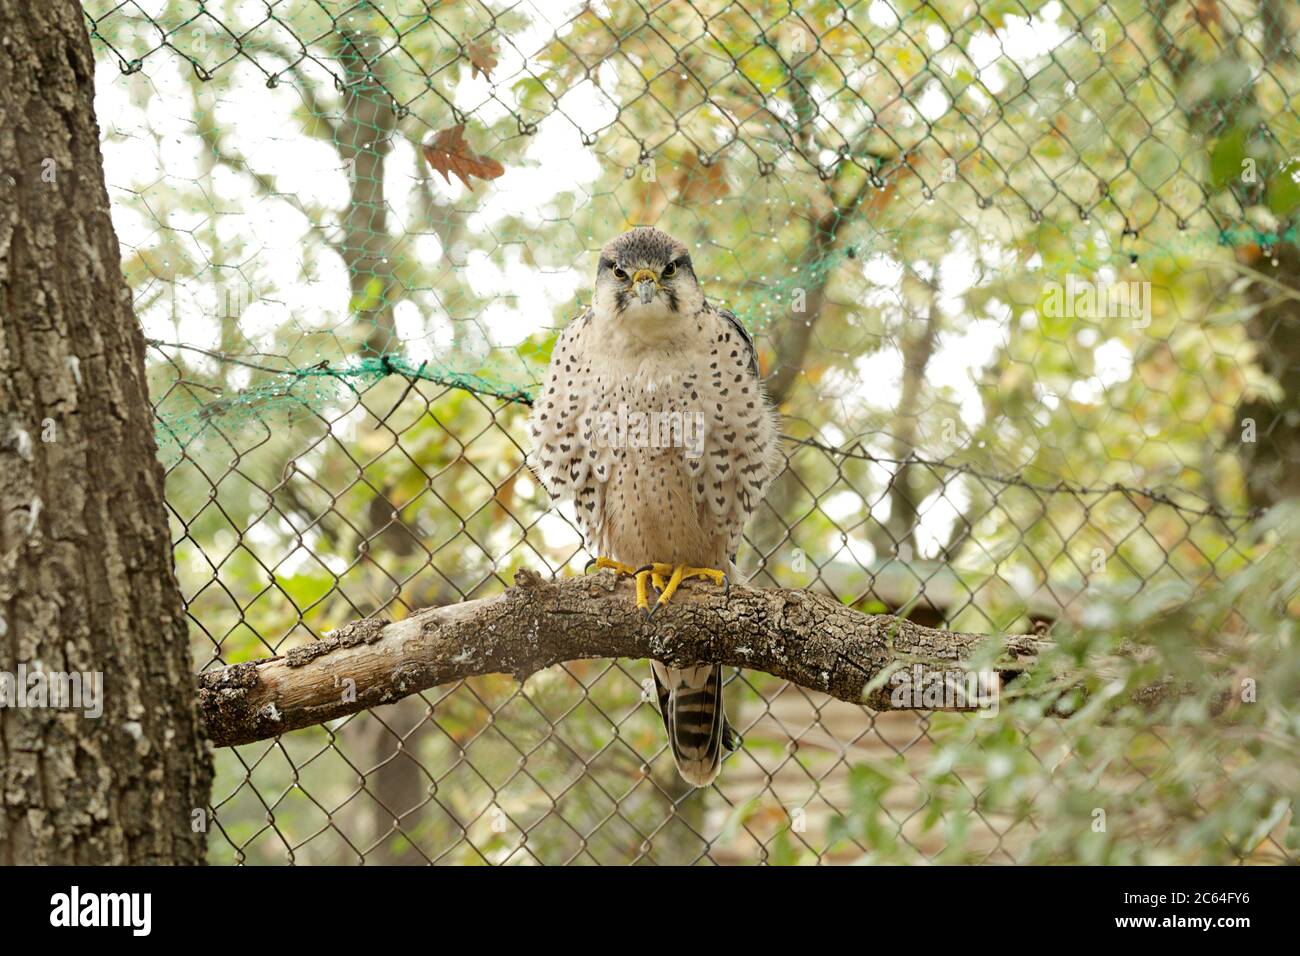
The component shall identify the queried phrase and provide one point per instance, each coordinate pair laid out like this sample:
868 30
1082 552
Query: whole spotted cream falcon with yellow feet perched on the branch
655 425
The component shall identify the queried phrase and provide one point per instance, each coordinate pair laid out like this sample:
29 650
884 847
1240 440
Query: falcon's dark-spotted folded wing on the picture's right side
740 451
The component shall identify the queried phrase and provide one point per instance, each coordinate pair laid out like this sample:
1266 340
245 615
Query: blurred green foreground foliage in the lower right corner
1208 775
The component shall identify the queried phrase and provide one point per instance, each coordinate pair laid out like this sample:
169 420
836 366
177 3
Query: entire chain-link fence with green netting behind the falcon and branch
353 232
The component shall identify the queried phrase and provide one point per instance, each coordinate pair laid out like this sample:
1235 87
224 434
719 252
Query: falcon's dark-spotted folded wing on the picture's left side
565 457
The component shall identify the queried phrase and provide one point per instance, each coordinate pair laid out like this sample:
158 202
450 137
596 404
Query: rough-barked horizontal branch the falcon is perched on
799 635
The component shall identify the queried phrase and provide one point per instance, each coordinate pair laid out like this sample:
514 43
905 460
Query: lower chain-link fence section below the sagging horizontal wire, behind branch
573 765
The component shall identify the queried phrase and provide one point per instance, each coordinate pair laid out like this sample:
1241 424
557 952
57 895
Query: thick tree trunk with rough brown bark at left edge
86 581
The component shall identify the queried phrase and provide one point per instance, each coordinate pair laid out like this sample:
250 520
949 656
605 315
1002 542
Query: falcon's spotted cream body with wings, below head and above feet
665 451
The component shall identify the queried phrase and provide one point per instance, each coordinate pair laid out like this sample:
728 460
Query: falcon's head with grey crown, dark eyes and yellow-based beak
645 276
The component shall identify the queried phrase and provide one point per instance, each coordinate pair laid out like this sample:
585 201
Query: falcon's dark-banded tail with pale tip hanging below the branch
691 702
